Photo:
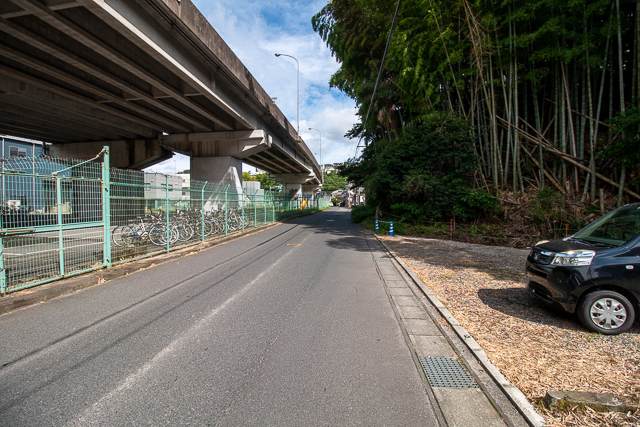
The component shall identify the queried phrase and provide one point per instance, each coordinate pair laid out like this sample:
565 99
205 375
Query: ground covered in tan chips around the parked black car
536 347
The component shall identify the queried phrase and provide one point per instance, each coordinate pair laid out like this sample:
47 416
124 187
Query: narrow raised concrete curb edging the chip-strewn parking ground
514 394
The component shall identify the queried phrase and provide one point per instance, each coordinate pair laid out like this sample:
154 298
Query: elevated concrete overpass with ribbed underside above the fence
148 78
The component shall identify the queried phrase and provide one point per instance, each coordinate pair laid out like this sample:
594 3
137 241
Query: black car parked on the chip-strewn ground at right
594 273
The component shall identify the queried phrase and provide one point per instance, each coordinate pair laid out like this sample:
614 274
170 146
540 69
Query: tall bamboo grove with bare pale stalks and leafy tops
551 87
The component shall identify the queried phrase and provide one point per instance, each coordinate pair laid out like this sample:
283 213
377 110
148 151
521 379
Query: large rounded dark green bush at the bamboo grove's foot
426 174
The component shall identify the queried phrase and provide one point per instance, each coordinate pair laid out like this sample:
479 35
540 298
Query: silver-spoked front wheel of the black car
606 312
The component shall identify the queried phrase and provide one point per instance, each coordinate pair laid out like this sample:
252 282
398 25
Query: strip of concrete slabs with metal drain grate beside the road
458 389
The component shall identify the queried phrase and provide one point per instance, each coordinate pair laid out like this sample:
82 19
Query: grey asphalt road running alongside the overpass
290 326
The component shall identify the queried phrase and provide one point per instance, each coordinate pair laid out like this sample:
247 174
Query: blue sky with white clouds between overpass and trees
258 29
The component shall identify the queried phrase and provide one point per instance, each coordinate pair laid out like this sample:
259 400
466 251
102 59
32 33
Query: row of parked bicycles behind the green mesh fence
182 226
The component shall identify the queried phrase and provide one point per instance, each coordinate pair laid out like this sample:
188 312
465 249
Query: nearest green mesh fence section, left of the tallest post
51 220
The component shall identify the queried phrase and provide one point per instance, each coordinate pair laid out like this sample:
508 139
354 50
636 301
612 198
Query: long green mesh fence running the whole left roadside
60 217
